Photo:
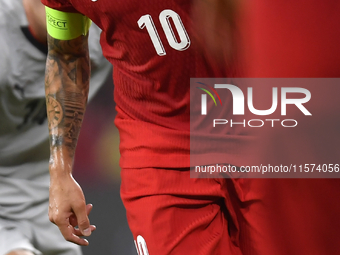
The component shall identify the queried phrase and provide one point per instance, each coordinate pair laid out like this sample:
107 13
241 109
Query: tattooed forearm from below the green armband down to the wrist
66 84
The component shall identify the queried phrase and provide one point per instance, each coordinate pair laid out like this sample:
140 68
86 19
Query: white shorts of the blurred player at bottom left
37 234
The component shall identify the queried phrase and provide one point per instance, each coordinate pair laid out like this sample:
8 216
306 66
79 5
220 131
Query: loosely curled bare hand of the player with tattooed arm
68 209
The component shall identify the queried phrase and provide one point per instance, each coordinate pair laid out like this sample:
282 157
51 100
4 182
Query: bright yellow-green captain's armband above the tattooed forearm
65 25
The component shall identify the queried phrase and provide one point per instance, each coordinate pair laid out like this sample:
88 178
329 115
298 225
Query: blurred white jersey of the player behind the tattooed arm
24 145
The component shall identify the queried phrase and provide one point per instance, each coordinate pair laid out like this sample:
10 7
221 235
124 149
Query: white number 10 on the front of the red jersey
164 17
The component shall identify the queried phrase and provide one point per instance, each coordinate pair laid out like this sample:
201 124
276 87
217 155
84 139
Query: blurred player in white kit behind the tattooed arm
24 178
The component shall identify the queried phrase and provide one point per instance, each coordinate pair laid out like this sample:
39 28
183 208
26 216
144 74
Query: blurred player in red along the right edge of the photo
299 40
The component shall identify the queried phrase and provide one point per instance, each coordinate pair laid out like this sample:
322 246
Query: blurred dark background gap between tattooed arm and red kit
97 171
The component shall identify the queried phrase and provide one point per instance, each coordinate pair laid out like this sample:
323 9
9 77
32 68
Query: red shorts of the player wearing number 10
170 213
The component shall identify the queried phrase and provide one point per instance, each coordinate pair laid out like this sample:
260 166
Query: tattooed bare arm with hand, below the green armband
67 86
